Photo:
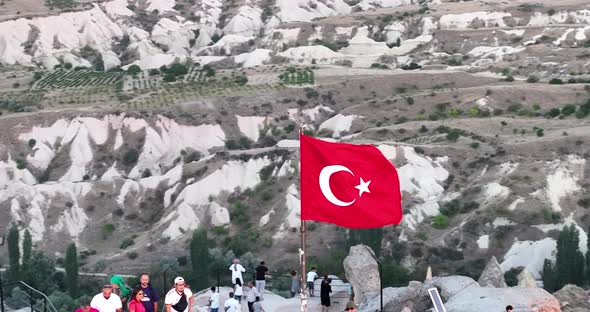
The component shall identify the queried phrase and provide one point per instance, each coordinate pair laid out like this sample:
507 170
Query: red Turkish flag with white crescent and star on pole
353 186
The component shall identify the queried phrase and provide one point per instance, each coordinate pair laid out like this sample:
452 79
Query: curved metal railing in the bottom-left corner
36 300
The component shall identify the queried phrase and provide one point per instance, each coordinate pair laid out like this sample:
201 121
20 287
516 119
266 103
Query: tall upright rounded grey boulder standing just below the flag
362 272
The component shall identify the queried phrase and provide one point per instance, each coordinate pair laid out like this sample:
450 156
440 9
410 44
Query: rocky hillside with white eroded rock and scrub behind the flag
482 106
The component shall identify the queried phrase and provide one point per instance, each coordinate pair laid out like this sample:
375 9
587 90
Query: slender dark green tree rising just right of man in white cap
199 253
